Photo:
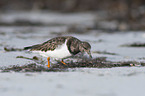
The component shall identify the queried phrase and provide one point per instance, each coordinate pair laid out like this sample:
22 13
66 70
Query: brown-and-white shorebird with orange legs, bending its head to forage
61 47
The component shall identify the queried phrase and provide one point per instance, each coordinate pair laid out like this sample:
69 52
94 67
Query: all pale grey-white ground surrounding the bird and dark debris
125 81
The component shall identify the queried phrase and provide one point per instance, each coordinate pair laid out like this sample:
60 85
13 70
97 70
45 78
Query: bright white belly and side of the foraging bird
60 52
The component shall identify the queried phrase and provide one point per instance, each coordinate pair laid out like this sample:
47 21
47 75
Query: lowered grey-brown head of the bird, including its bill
85 47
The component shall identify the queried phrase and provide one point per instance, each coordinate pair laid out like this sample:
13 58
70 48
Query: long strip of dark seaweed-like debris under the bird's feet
59 67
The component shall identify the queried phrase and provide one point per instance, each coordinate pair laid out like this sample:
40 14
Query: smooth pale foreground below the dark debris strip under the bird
82 82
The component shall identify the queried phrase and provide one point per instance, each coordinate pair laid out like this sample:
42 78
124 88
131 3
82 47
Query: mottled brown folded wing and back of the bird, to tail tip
48 45
